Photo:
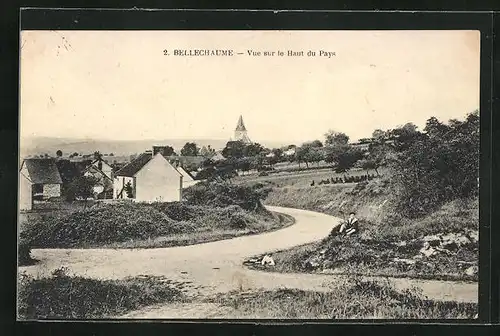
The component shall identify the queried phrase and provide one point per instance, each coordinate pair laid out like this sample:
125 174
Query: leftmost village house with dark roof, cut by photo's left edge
39 179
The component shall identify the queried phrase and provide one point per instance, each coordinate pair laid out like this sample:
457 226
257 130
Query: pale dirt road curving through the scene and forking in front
217 266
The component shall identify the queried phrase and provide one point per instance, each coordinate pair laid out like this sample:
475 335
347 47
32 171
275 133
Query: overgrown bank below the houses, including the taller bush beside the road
210 210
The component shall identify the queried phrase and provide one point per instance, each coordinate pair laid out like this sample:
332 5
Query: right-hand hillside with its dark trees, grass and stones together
430 188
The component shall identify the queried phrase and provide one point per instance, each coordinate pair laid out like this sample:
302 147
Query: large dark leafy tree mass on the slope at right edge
439 166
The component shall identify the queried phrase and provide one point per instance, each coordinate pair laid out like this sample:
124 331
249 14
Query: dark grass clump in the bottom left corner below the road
74 297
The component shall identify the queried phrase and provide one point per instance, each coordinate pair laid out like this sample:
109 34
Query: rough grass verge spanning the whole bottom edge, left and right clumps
64 296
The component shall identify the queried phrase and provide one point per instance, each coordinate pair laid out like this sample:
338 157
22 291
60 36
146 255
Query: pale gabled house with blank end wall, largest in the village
148 178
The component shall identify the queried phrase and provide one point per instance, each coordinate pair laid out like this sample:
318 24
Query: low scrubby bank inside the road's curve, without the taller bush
110 223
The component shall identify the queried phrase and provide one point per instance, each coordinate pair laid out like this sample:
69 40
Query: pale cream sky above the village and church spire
119 85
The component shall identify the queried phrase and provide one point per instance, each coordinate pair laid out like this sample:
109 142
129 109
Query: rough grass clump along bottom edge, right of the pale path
354 299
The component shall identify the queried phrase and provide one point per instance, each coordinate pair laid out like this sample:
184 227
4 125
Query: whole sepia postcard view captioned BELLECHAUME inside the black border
248 174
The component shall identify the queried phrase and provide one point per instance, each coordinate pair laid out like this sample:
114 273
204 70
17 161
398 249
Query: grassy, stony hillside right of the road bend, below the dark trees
388 244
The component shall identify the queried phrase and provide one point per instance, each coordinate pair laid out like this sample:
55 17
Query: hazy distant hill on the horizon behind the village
50 145
